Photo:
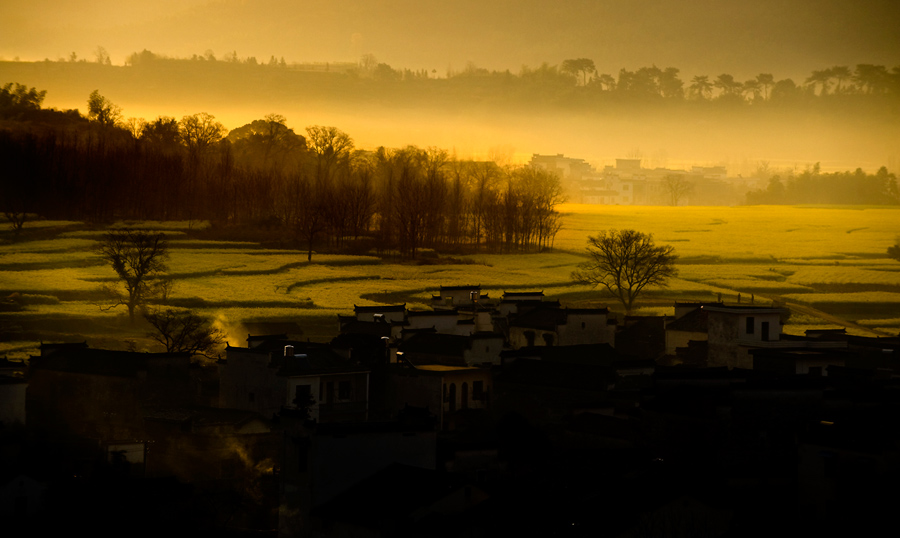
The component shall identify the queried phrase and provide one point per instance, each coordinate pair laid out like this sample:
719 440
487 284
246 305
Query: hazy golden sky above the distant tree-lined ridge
787 37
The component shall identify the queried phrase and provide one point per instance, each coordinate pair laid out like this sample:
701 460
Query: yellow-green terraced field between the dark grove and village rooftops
829 262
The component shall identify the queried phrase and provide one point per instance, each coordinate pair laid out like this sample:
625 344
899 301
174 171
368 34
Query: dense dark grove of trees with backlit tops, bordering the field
315 188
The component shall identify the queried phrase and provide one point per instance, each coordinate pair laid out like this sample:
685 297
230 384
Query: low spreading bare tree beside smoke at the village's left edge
182 331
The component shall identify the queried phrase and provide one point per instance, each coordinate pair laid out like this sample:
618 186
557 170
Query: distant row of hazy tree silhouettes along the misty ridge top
572 80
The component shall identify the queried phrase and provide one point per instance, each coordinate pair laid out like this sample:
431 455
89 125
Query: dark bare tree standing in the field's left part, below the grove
138 258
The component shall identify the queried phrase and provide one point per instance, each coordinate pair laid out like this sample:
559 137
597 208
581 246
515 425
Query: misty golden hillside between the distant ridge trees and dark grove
476 111
